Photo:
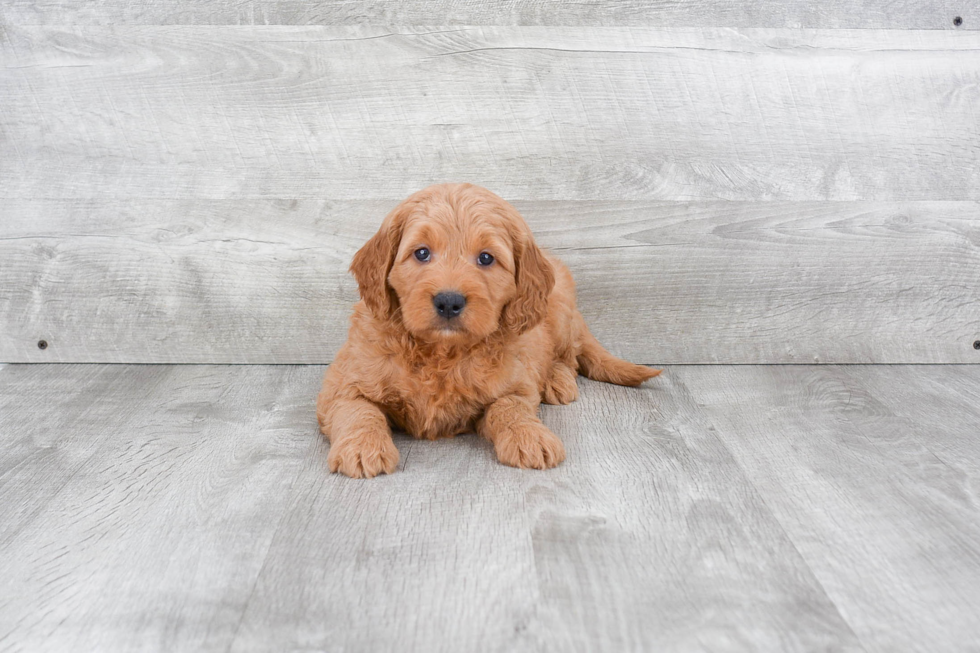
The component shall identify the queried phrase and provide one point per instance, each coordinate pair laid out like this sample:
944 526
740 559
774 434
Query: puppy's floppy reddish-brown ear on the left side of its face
372 264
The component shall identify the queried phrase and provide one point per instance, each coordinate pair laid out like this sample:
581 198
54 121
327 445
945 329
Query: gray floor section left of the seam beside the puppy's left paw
143 499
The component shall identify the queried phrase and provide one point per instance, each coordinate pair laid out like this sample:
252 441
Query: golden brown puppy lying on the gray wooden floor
464 323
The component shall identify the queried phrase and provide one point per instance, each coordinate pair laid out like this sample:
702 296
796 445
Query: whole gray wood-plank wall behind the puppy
187 182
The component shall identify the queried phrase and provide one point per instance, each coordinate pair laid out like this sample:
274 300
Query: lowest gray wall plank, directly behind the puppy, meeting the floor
265 281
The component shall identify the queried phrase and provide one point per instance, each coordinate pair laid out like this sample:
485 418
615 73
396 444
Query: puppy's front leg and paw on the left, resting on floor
360 438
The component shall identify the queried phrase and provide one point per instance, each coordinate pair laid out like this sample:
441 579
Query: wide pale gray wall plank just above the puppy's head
534 113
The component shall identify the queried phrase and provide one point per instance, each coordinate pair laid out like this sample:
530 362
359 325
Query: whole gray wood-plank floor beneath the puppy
721 508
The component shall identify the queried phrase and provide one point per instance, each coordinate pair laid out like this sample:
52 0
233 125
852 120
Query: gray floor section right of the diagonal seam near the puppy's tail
873 473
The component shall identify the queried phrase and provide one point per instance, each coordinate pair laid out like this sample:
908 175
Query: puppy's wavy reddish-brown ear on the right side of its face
535 280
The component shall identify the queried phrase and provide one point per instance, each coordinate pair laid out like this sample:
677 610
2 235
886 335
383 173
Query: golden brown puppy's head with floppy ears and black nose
455 263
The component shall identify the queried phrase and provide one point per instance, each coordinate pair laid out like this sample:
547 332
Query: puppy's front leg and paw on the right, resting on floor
518 436
